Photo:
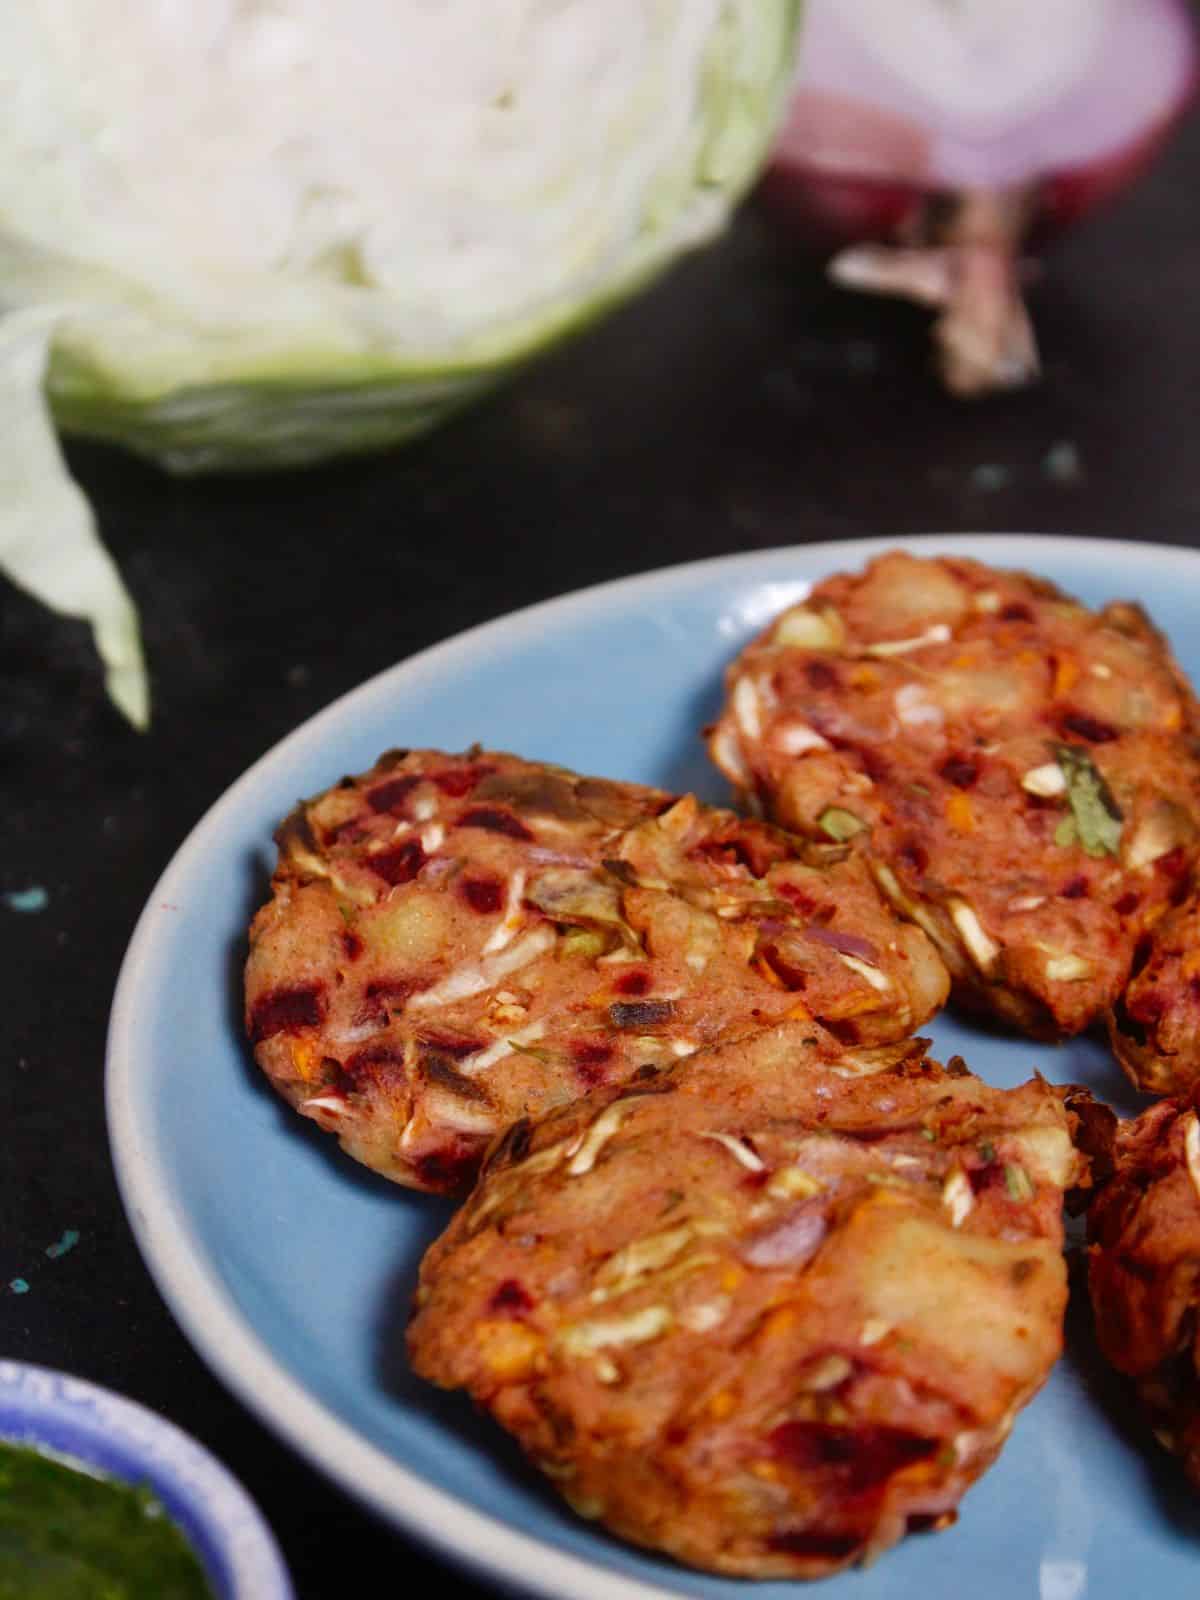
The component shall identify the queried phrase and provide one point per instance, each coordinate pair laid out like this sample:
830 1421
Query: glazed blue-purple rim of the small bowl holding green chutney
47 1410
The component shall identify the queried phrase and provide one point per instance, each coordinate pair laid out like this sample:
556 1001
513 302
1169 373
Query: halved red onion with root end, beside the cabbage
930 145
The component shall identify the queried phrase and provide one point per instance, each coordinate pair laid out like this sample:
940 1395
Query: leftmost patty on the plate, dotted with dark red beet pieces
457 942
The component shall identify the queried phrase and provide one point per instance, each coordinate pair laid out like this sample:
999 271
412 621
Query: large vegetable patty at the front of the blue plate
762 1311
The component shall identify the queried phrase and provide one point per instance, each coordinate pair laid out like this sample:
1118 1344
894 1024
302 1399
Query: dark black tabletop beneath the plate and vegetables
742 406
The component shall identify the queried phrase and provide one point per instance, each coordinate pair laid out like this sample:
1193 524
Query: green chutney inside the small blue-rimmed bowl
66 1535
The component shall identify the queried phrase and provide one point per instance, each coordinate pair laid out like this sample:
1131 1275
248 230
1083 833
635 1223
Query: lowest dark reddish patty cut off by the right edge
1145 1268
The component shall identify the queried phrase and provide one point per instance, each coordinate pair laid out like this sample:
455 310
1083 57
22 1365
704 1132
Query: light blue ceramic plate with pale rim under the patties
292 1270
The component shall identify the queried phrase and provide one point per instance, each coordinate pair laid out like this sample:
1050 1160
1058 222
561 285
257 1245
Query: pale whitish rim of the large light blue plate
199 1302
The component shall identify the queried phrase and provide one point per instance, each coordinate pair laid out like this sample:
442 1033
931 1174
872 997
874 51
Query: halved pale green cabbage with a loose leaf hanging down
258 233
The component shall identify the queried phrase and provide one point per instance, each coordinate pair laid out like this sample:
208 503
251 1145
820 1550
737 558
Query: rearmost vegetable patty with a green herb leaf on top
1023 774
